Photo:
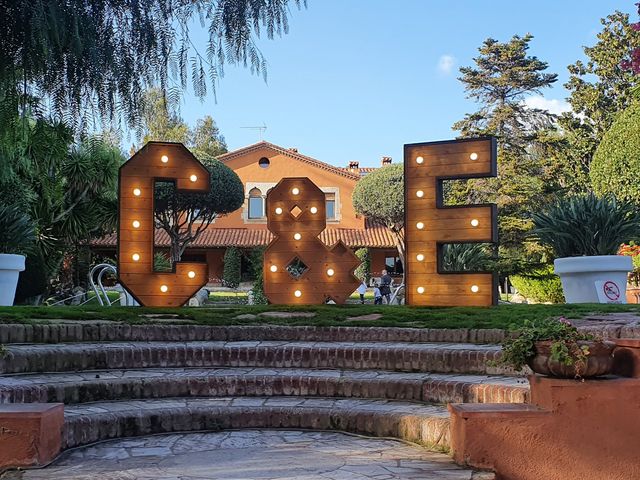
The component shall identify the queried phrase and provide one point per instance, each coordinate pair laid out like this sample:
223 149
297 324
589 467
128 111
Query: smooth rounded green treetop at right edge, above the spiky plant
616 164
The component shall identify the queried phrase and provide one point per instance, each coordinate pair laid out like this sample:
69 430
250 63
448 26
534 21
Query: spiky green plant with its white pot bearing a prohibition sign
585 233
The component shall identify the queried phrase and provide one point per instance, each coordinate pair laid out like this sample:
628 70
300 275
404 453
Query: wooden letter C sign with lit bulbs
165 162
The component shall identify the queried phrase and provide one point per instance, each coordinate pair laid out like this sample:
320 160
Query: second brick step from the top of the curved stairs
409 357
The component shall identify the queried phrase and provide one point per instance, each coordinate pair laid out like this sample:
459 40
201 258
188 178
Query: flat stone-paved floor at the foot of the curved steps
251 455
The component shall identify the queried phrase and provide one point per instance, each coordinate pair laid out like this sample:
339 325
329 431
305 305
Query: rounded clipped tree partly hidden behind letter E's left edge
380 197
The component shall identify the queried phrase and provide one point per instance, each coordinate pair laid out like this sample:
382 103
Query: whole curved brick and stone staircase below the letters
119 380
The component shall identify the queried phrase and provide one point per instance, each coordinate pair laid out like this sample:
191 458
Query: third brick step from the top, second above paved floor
72 388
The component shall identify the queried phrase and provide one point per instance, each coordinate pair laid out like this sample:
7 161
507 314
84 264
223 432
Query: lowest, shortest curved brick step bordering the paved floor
420 423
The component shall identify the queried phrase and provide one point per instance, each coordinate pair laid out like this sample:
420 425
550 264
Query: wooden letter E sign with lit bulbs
429 224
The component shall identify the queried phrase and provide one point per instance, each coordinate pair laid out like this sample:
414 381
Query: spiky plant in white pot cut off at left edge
16 237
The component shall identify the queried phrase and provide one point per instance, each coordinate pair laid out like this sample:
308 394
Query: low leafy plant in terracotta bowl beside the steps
558 349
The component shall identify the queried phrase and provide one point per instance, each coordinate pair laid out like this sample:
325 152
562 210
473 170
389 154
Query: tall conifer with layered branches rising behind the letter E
503 76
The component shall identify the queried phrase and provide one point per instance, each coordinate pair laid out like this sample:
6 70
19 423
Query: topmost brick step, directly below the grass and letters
69 331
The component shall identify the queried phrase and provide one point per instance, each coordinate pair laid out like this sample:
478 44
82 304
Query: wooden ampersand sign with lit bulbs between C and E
298 267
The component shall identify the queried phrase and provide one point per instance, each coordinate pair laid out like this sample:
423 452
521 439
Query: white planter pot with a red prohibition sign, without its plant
597 279
